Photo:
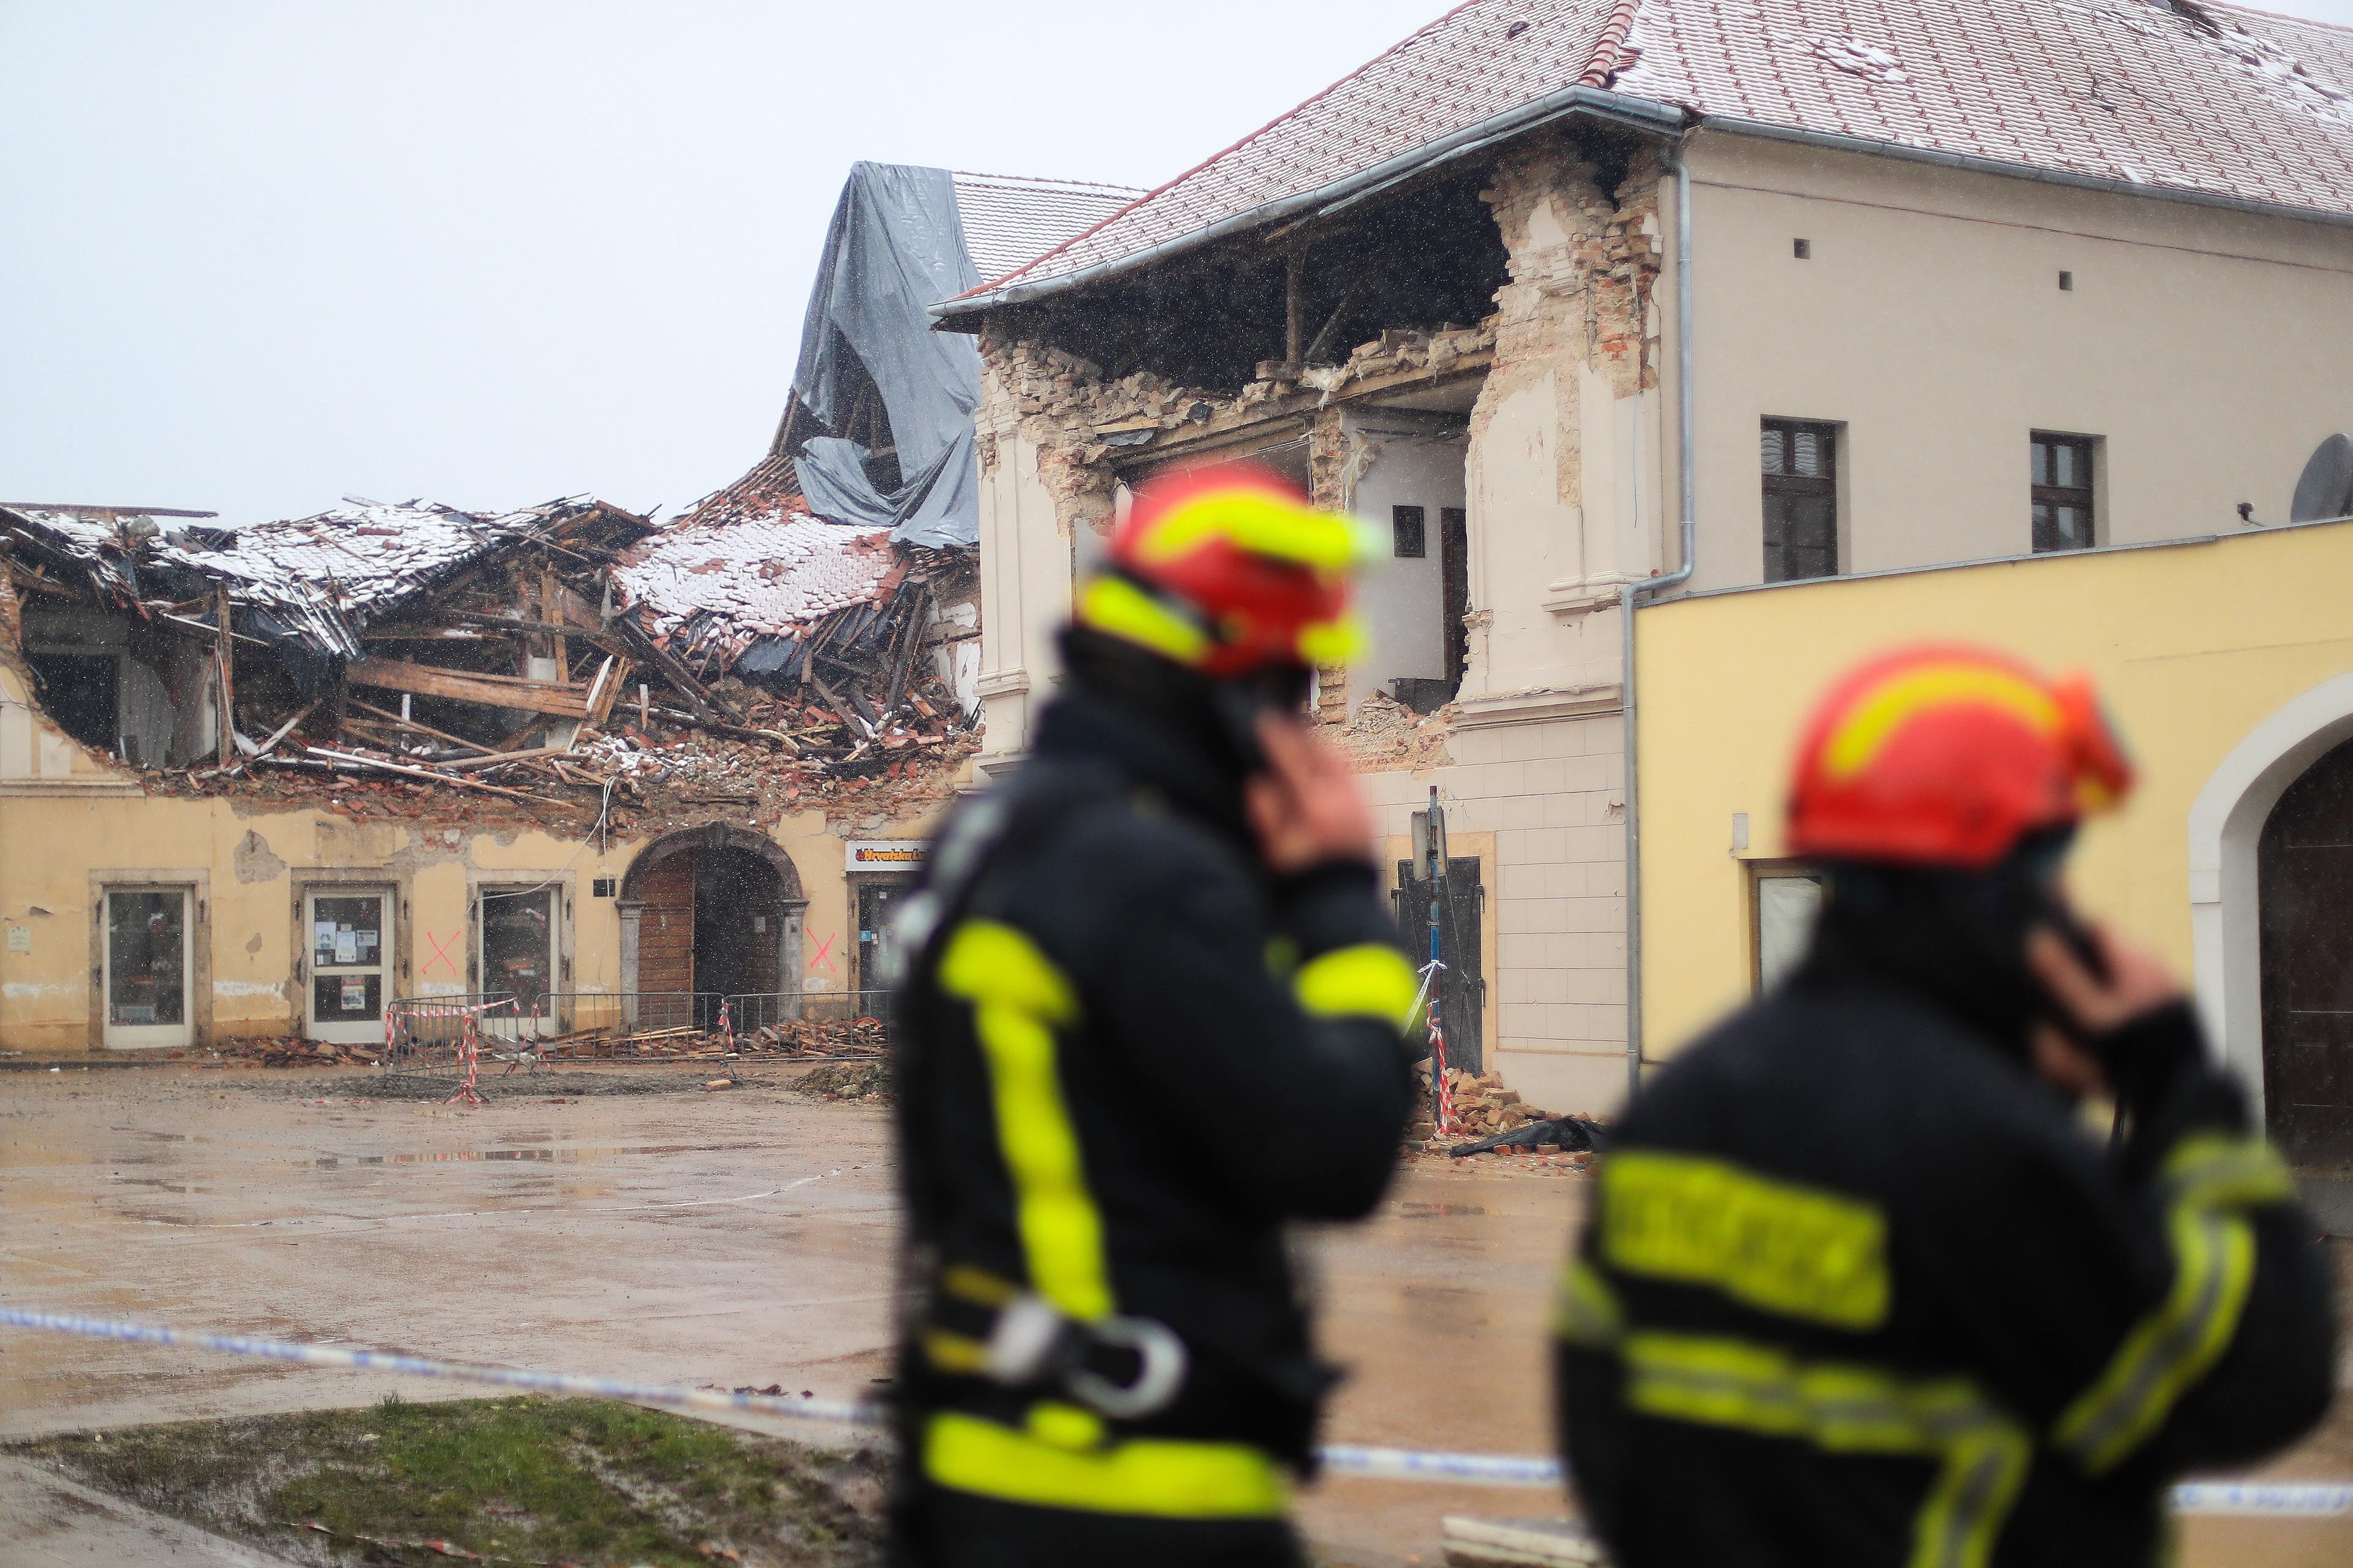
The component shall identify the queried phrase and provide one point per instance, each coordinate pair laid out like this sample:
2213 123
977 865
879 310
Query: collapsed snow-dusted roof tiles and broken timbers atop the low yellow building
568 660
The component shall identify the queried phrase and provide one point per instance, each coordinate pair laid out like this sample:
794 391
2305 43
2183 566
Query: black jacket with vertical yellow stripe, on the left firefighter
1131 1058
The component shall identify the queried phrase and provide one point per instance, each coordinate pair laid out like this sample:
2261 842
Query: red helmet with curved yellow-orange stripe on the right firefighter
1947 757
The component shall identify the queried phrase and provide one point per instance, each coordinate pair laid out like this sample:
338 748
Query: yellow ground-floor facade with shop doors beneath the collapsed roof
166 922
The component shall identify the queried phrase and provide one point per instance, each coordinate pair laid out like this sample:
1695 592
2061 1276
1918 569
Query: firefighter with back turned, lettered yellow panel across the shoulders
1860 1287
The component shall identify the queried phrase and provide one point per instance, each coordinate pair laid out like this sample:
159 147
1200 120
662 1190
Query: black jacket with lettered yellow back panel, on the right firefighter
1860 1289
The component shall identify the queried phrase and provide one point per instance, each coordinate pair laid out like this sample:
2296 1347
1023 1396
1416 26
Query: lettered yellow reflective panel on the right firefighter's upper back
1799 1251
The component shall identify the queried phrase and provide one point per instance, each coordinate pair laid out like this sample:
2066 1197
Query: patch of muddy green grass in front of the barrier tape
535 1480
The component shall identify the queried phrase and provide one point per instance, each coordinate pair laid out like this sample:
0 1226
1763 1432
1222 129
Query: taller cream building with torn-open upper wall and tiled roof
1604 300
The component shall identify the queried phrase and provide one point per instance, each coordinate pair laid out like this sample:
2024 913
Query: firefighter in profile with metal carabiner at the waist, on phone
1152 1014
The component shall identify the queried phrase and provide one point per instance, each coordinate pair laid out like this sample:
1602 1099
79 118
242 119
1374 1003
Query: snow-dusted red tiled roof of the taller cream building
2164 98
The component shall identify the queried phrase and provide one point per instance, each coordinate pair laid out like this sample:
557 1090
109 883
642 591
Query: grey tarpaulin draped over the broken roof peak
895 248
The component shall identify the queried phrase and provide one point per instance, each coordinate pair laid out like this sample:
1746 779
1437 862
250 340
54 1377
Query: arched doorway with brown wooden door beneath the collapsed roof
712 912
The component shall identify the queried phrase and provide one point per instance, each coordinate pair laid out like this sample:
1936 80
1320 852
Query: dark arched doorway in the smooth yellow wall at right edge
2305 877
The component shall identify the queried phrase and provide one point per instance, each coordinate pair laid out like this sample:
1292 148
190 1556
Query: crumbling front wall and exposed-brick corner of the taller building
1566 486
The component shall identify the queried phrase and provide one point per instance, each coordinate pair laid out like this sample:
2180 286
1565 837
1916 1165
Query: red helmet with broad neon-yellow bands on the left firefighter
1229 571
